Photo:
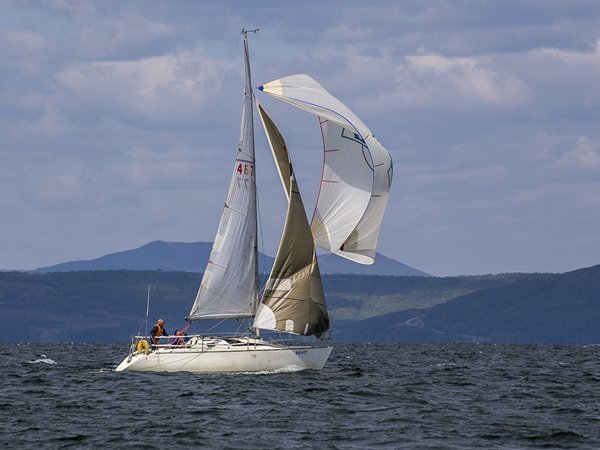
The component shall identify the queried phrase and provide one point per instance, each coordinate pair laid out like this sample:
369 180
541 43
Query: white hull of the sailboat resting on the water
207 356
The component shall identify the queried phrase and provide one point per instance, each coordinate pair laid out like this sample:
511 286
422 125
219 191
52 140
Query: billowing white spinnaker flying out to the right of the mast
357 171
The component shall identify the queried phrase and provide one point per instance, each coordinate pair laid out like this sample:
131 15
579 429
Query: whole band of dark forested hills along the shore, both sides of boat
109 306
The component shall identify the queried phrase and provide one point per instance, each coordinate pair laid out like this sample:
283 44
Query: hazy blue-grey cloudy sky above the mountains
119 122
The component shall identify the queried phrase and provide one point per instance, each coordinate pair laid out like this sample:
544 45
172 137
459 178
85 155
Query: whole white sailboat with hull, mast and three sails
355 182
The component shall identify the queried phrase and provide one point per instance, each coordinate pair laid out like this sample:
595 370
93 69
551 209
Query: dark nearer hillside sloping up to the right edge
545 309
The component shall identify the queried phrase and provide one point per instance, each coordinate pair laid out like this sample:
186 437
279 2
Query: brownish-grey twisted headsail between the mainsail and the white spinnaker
293 300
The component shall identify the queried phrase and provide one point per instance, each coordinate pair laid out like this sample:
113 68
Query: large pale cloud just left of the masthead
172 87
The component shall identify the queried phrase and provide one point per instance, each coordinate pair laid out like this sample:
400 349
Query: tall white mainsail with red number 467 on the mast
229 286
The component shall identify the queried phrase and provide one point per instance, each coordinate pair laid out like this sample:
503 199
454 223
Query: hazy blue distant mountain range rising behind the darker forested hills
192 257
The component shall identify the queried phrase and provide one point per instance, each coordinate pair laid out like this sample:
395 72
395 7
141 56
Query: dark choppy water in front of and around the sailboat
367 396
